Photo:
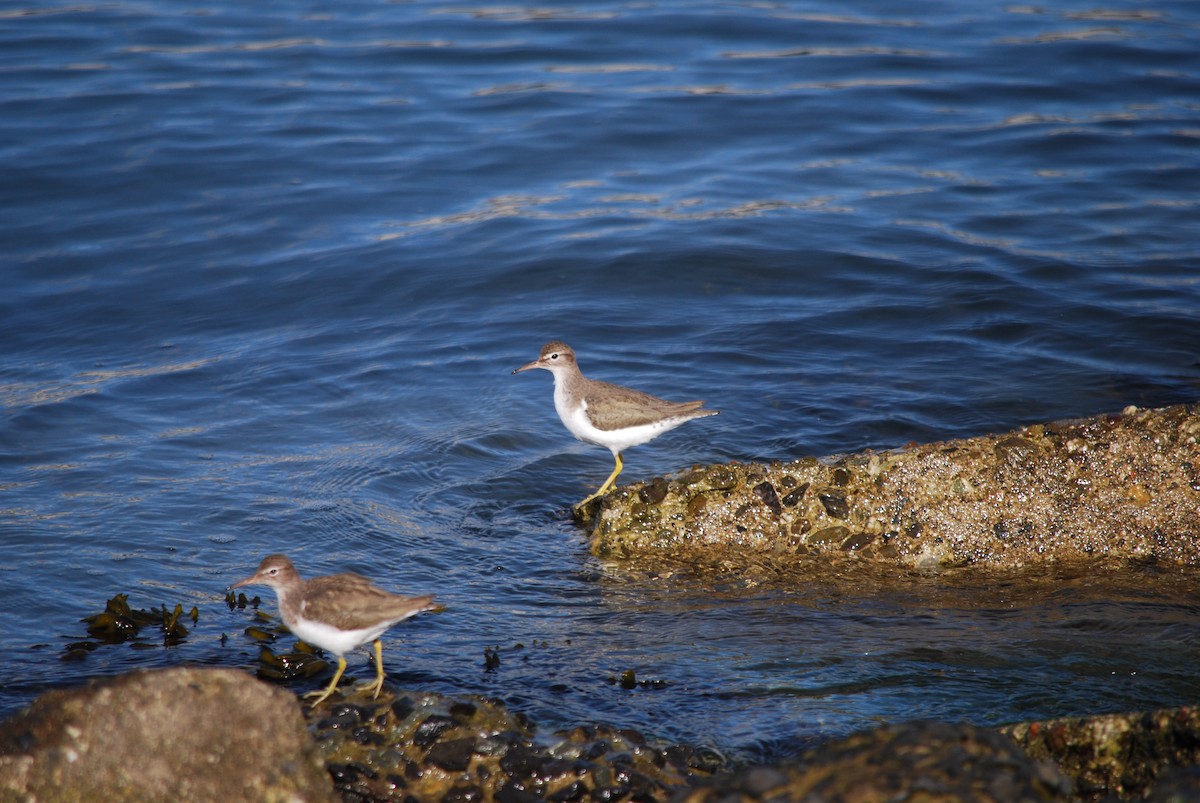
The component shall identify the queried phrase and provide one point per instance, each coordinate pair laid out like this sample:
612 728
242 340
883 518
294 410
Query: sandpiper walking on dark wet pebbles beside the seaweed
335 613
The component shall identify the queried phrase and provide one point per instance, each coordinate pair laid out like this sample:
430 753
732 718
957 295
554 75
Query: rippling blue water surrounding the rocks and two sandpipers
267 269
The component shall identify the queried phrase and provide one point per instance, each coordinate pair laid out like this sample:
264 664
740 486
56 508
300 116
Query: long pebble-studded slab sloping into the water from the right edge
1123 487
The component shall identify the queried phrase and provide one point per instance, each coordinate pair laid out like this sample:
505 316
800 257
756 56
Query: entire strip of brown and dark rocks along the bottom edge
219 735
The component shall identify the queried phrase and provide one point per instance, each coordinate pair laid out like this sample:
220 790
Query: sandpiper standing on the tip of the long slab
608 415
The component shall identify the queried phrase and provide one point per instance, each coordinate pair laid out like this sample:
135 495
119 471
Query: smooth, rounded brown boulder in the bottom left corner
170 735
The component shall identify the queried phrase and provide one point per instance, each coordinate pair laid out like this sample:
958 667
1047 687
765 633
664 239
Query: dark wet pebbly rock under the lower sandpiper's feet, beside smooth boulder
428 747
